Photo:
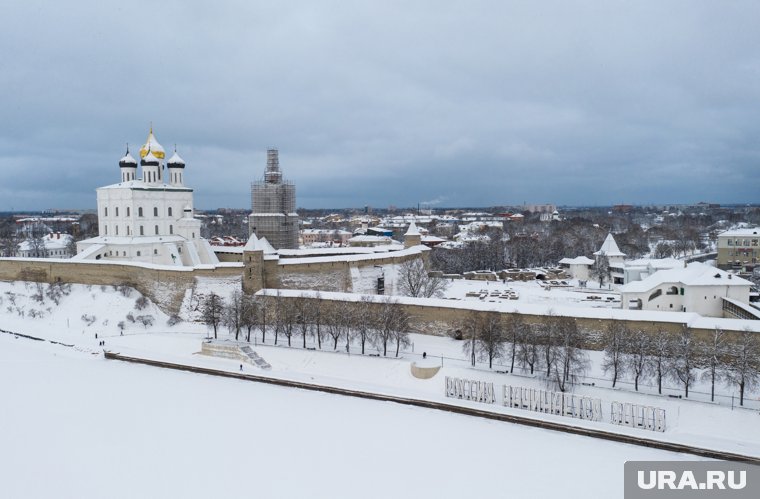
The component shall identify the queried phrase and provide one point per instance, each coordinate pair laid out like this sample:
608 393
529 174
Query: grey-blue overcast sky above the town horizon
385 102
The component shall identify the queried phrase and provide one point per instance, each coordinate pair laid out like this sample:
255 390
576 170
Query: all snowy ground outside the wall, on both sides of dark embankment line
97 428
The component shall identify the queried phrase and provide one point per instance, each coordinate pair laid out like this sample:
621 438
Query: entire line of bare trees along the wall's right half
556 347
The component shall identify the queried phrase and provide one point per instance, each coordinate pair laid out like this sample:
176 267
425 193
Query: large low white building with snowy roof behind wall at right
697 288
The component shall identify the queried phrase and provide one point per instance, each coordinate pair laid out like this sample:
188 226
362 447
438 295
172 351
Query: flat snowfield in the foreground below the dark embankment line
77 426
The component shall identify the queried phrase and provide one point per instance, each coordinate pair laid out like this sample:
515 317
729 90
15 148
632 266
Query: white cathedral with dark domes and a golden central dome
149 218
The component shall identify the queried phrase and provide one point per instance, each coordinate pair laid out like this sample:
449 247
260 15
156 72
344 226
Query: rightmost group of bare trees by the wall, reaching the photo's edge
682 357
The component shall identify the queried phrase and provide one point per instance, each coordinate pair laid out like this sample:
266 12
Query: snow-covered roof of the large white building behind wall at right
696 274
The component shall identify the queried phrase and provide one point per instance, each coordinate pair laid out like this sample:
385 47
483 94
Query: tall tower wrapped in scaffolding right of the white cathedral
273 206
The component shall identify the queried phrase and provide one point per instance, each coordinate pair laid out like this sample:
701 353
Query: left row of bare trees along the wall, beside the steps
367 322
